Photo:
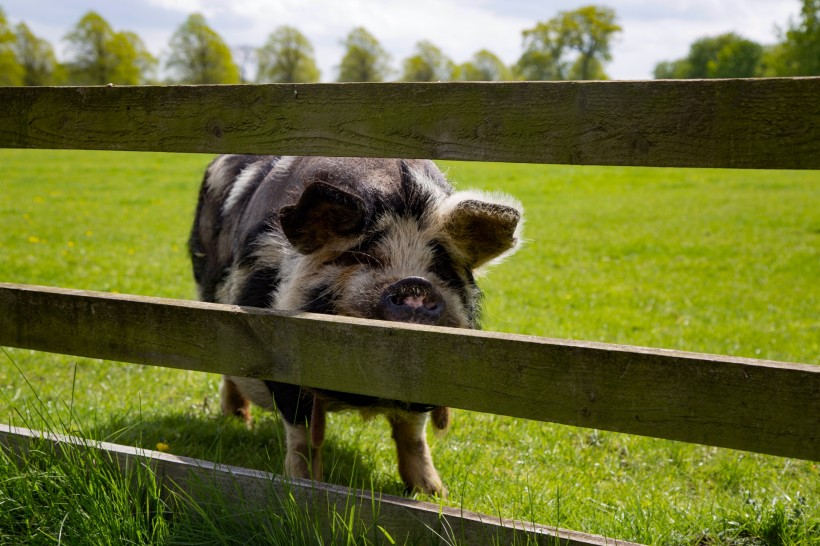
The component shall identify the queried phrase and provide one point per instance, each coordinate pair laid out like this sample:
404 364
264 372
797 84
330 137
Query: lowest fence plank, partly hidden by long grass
255 491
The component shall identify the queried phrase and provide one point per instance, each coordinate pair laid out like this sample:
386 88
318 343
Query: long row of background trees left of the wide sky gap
572 45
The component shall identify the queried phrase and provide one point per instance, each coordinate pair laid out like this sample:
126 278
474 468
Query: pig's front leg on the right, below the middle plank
415 462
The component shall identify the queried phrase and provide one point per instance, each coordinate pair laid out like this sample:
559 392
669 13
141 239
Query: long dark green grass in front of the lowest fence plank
73 493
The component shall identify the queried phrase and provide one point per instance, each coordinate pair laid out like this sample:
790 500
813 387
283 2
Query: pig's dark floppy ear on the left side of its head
324 212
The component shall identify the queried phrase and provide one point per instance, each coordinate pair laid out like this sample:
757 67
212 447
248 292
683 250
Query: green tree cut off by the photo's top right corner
798 54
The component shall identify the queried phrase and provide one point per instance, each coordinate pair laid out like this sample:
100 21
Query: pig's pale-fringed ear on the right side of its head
484 230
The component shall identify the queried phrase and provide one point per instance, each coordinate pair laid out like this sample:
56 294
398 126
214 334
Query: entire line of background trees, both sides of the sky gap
573 45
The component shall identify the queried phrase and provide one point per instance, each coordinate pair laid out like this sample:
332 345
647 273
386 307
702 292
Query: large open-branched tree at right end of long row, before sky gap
585 33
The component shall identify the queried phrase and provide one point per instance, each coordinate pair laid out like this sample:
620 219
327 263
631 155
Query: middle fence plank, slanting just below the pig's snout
754 405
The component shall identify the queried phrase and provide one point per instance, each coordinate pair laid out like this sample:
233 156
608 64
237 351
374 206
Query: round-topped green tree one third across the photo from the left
287 57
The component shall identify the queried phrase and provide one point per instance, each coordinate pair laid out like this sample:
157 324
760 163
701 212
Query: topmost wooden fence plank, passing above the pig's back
739 123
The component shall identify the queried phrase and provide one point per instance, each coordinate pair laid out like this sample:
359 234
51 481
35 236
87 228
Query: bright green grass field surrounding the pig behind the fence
700 260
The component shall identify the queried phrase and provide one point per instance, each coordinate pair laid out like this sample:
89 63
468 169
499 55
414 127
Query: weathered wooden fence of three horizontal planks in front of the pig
754 405
